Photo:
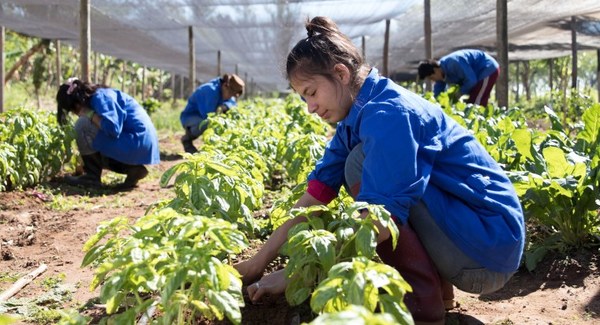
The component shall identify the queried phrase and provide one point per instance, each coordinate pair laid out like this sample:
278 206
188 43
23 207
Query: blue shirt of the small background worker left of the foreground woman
205 99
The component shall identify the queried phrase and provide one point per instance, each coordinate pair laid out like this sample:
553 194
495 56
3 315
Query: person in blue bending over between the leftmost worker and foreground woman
217 95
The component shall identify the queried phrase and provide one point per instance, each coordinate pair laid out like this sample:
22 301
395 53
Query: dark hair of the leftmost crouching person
71 93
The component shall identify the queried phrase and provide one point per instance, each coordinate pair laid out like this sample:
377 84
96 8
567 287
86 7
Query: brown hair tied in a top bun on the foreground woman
324 47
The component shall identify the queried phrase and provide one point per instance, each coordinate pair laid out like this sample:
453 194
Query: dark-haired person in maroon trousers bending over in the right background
474 71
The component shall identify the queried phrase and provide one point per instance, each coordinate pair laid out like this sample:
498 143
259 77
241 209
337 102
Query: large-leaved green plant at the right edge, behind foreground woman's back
565 195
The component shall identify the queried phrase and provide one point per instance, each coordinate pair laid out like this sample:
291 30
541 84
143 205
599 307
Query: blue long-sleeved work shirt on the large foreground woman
414 151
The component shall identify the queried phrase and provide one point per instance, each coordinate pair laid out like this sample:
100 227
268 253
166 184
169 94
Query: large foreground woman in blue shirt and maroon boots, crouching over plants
459 217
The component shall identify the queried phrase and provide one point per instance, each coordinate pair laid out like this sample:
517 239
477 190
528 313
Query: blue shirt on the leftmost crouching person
126 132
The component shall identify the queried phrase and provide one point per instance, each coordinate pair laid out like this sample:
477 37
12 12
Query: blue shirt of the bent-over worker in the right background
465 68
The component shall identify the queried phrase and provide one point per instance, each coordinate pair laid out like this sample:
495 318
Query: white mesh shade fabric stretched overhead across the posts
256 35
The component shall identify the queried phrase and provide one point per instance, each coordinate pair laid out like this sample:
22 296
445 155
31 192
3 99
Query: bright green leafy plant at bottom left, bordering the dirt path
169 259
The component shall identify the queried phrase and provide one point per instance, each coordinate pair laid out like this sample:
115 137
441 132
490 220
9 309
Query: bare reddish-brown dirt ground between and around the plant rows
49 224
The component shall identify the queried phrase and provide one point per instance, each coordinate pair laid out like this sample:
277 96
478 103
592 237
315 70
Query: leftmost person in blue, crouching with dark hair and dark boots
113 131
